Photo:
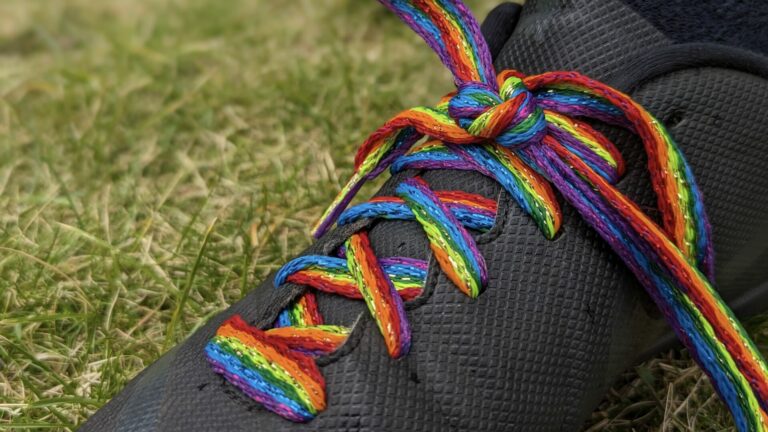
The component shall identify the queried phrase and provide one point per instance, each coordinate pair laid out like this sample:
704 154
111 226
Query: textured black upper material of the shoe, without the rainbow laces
558 320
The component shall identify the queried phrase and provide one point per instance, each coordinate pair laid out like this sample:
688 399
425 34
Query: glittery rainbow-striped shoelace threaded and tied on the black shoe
524 132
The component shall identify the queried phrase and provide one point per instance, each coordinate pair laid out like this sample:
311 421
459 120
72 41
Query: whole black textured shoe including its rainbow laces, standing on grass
461 297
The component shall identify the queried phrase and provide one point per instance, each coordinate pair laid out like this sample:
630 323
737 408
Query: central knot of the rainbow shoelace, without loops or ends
509 115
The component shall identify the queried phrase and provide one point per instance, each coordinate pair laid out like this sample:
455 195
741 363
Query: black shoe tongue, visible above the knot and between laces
595 38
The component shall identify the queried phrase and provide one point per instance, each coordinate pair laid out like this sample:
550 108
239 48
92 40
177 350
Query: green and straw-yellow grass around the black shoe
160 157
